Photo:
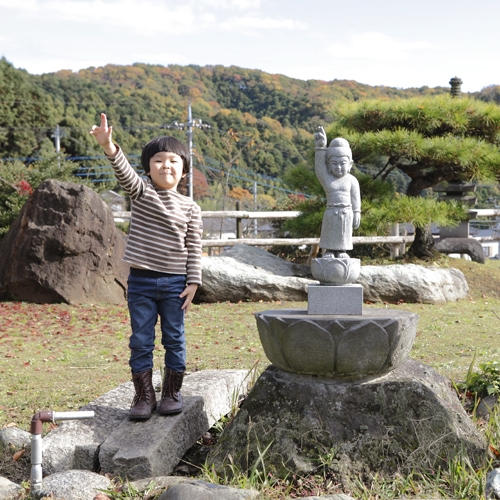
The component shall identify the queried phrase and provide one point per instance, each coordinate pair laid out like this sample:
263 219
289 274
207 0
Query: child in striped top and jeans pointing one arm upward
164 253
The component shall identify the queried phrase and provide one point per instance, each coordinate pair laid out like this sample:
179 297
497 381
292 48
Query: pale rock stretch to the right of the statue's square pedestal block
412 283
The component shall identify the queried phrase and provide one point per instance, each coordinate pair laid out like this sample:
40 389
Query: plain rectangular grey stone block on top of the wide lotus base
326 299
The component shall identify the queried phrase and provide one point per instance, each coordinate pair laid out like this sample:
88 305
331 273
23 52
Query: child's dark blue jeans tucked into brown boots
149 294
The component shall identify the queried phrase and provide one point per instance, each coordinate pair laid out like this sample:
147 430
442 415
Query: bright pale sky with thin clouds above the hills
396 43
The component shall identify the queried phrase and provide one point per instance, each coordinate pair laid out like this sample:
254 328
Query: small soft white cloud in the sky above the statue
375 46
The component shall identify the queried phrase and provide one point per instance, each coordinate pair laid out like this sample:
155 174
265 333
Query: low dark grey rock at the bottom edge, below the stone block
201 490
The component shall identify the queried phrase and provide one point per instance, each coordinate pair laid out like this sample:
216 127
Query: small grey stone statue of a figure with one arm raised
343 208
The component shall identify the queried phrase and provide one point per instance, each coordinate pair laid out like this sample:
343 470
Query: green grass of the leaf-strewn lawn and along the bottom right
60 357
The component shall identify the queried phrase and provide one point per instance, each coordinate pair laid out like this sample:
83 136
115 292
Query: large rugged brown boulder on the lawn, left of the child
63 247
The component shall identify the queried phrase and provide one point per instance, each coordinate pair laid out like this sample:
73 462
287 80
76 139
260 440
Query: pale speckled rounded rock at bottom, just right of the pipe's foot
75 485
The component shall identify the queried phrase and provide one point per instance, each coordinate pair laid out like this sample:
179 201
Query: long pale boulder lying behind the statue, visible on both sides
250 273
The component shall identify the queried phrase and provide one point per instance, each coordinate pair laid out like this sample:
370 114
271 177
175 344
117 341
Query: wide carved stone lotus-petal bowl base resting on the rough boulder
339 347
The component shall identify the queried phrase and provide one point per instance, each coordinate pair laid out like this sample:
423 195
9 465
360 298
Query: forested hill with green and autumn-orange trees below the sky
274 114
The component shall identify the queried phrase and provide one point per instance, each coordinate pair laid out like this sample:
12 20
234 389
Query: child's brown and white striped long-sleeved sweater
166 227
